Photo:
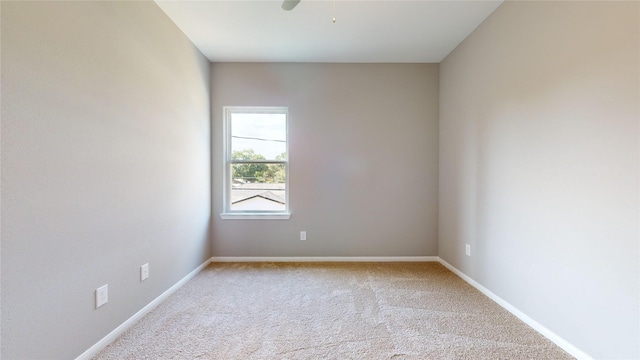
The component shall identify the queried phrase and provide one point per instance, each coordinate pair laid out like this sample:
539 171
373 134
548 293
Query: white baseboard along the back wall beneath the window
325 259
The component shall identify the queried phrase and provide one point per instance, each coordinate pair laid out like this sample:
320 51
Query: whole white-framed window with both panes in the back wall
256 163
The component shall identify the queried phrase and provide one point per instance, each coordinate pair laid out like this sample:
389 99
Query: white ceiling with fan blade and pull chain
365 31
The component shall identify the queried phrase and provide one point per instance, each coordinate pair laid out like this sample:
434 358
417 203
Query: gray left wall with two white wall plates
105 166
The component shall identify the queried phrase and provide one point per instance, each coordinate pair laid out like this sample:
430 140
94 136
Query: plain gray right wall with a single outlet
539 166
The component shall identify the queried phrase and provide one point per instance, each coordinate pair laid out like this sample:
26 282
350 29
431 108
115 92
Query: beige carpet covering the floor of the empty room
329 311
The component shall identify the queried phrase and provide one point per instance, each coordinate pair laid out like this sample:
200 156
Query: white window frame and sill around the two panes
227 162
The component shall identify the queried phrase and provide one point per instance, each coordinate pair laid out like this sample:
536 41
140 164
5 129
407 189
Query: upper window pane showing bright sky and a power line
258 136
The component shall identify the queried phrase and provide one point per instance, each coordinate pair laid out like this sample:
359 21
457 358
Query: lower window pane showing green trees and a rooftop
258 187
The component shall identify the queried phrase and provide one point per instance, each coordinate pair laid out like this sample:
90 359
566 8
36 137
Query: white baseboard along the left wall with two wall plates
92 351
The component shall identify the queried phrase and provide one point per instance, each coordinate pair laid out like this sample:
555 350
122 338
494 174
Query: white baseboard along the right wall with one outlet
555 338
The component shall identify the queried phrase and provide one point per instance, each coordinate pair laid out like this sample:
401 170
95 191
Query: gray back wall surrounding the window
363 158
